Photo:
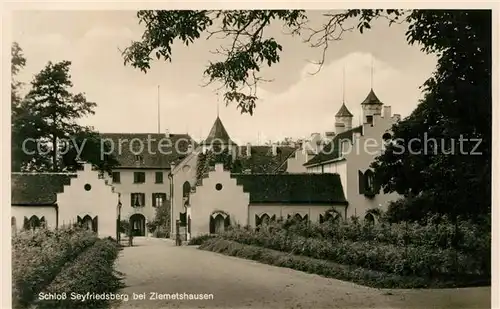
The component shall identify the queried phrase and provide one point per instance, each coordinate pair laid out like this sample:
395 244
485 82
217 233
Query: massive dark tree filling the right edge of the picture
450 176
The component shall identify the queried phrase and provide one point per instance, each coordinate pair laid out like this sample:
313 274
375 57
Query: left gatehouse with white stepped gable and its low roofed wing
59 199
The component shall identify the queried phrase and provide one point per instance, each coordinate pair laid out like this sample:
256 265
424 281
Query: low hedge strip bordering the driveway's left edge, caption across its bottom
92 271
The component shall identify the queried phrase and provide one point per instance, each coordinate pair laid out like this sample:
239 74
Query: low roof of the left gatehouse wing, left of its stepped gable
38 189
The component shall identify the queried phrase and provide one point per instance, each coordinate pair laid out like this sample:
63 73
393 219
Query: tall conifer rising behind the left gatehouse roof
45 133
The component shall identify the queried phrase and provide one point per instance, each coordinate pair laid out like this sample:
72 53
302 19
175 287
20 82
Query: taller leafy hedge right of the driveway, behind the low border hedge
425 261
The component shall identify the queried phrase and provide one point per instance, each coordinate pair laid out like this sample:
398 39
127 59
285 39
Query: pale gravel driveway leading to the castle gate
157 266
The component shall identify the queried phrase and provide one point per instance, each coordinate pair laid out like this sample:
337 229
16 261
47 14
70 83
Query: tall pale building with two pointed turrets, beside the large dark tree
351 152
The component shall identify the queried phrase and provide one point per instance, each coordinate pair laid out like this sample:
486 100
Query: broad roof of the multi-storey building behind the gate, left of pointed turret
164 149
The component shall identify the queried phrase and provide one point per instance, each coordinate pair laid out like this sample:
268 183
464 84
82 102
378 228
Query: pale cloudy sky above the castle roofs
295 103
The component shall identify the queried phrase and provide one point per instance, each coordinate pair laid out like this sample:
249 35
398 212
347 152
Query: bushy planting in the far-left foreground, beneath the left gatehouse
38 256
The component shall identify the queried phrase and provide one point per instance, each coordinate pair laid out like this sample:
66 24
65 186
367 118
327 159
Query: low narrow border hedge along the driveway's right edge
324 268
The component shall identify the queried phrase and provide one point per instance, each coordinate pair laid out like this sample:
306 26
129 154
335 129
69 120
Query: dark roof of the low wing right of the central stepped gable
293 188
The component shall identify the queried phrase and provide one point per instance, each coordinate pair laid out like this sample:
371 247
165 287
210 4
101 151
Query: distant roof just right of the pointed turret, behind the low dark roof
262 160
